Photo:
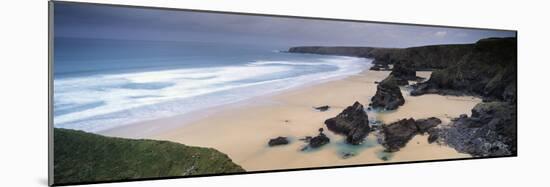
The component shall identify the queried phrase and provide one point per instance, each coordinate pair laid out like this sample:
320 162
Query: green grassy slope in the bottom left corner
85 157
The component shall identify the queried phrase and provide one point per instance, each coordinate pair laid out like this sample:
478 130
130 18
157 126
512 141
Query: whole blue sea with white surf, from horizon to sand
101 84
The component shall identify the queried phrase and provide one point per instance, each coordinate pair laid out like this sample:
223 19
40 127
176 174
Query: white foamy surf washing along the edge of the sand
101 102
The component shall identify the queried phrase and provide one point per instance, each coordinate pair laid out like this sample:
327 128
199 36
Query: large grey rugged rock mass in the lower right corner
490 131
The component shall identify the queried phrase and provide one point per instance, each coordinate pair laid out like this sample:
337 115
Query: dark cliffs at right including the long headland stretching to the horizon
486 68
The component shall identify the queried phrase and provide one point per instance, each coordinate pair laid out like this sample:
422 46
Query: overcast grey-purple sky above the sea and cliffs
128 23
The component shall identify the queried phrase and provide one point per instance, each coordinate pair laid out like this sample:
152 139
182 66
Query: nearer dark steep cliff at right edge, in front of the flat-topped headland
488 70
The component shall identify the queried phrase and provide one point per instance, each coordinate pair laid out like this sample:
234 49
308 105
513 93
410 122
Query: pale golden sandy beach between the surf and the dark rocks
242 130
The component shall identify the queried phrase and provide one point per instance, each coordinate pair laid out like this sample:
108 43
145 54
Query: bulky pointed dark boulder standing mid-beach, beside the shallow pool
353 122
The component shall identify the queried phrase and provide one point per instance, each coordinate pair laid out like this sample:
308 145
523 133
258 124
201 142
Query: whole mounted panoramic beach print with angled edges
142 93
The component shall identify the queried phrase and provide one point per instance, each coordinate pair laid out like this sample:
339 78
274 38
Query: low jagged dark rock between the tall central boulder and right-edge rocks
397 134
